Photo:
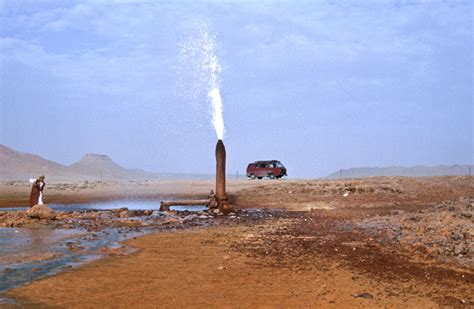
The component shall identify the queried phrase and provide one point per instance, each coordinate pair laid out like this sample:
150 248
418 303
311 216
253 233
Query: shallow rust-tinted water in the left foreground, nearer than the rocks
28 254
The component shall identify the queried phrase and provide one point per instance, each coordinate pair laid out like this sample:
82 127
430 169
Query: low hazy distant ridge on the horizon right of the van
414 171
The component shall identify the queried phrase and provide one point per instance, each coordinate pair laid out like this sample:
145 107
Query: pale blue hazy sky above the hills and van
319 85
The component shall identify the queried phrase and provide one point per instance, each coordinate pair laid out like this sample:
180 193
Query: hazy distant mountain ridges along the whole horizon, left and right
15 165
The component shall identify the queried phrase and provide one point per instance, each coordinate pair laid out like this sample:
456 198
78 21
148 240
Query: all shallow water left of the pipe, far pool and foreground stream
28 254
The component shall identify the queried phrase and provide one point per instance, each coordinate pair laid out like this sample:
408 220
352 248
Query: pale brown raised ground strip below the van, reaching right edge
377 192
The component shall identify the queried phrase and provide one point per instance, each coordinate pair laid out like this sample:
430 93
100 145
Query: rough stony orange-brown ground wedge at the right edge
443 231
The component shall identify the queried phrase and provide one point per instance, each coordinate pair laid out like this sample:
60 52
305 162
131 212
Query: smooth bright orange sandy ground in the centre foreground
199 269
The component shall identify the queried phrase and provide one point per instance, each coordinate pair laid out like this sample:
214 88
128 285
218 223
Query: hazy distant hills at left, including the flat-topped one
15 165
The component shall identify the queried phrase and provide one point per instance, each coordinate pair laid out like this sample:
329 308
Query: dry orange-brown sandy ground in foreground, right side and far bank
375 243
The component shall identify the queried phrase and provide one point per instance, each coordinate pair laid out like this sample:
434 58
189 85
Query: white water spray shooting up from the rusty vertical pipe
201 62
